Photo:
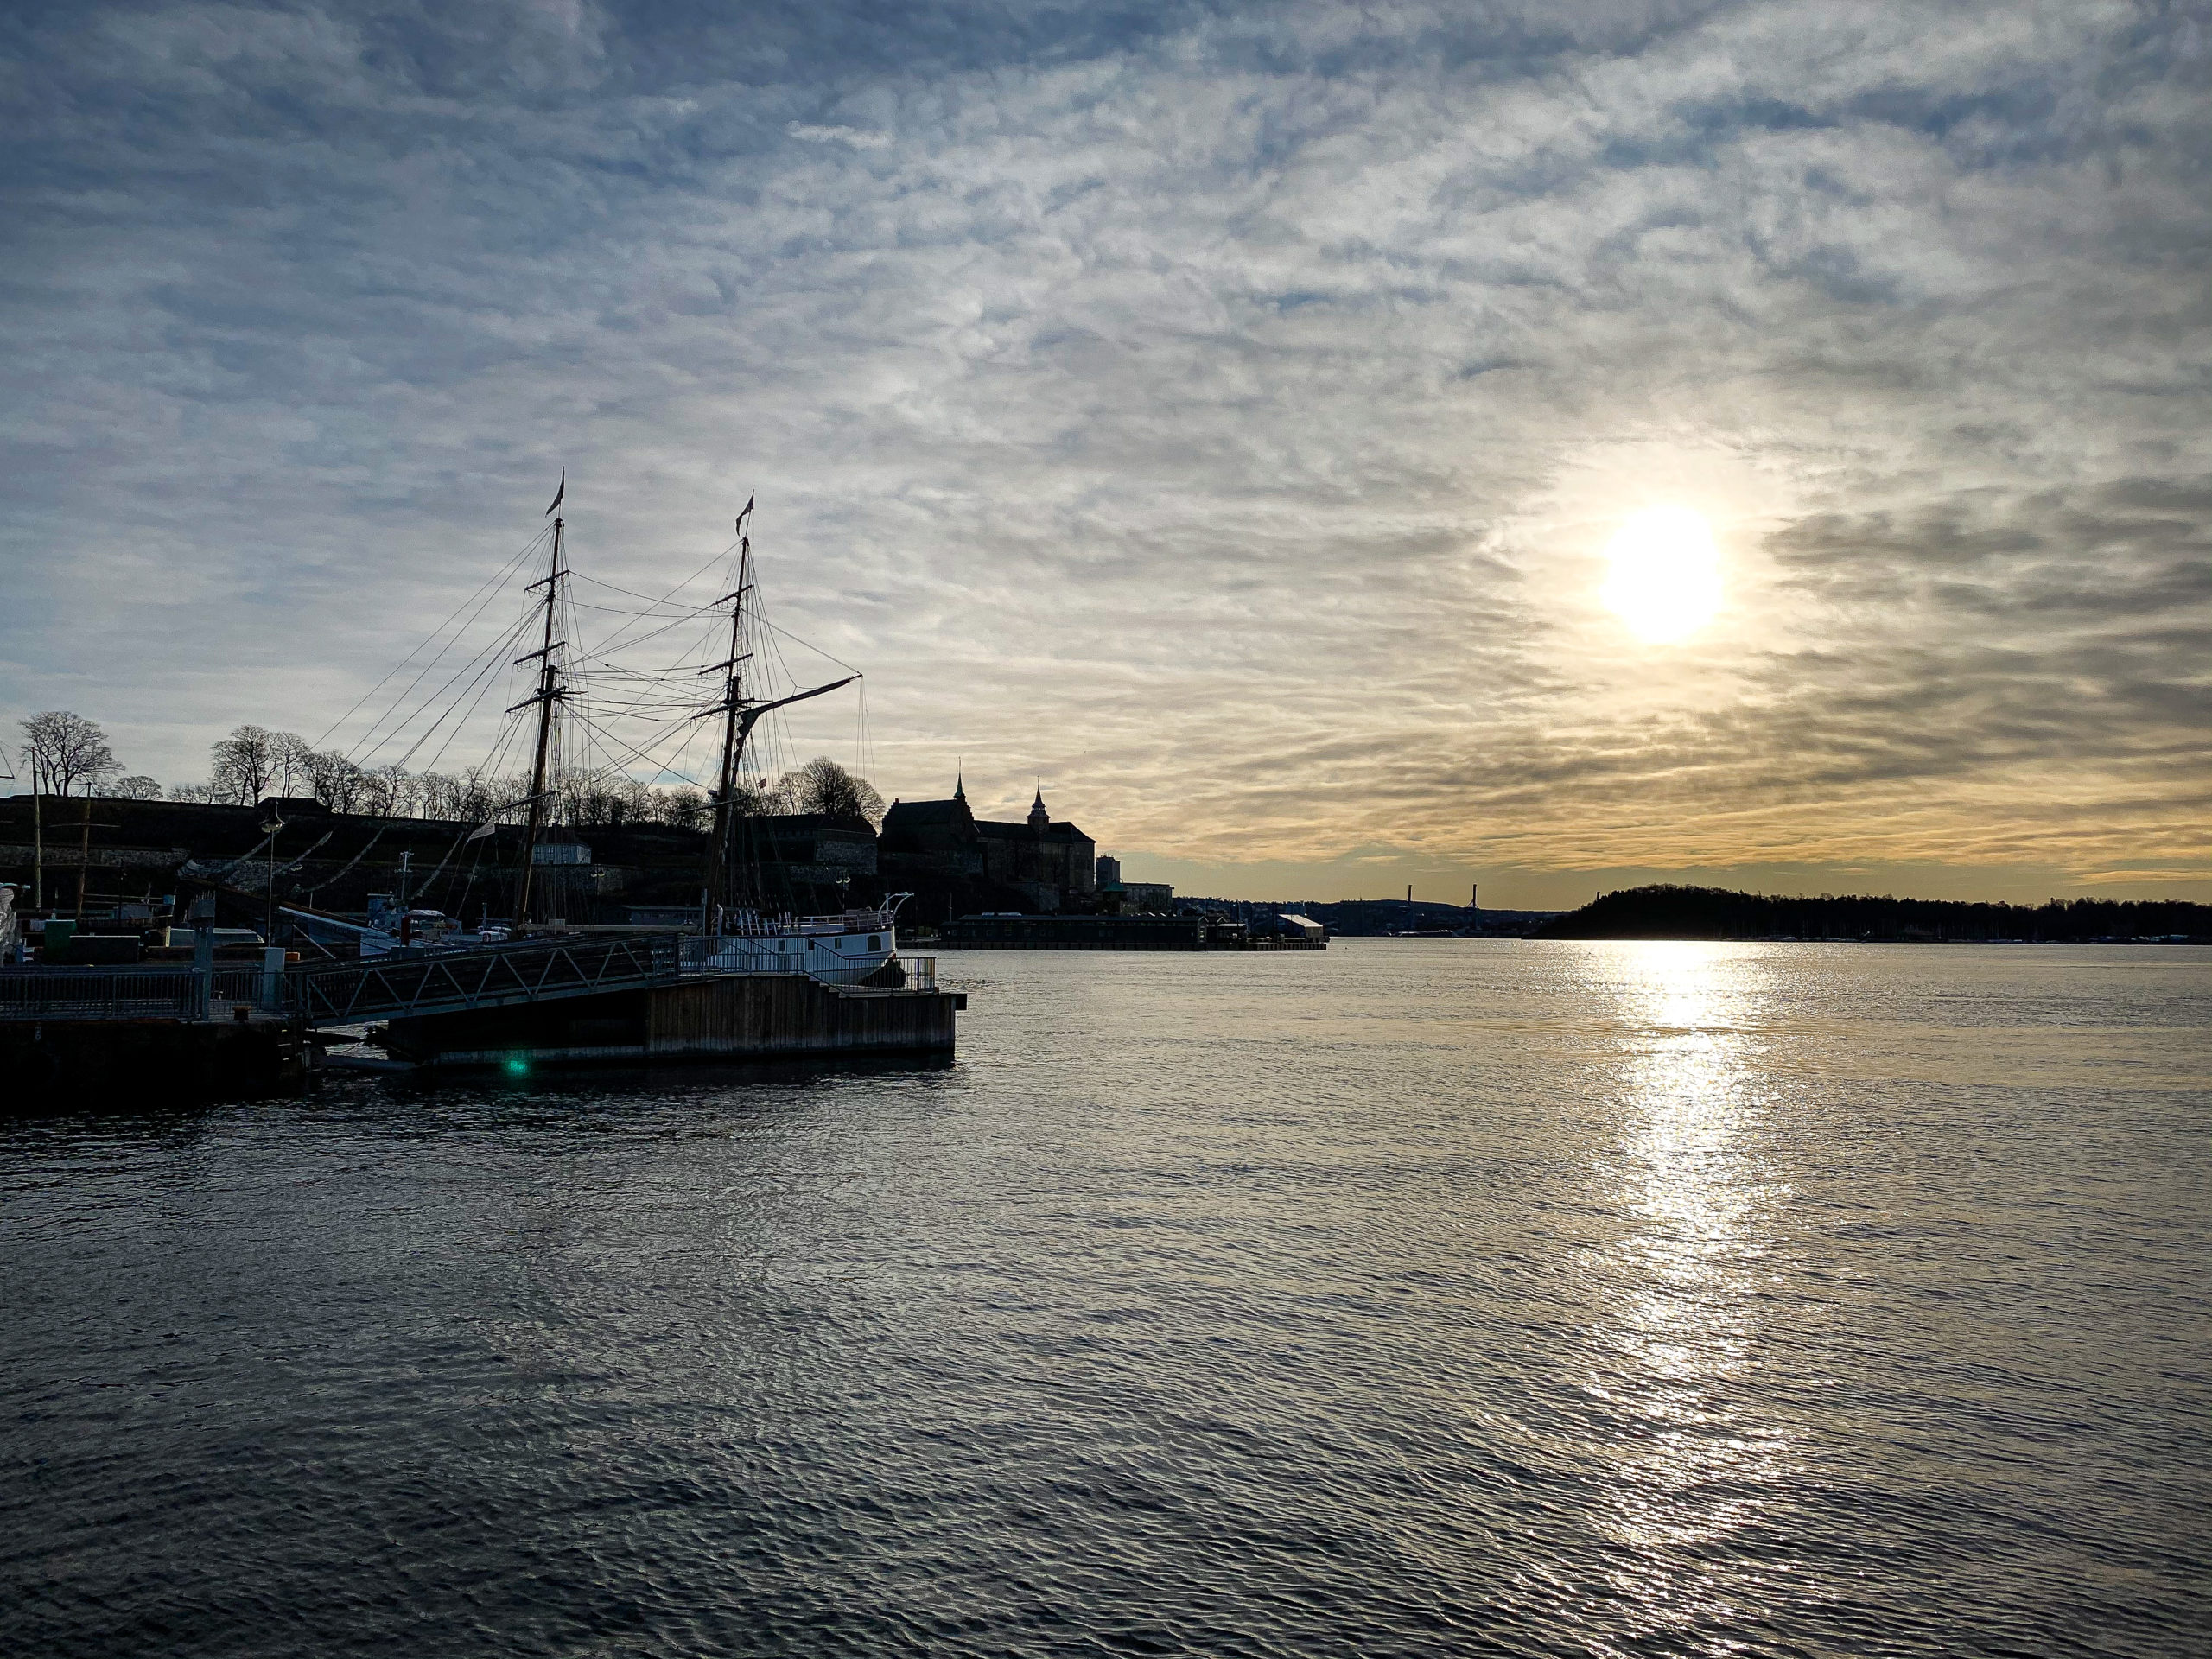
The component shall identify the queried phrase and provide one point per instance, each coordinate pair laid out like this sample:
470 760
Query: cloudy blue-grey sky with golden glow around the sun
1220 413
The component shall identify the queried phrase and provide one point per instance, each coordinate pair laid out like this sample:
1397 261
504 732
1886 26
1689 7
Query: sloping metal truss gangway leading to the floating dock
417 983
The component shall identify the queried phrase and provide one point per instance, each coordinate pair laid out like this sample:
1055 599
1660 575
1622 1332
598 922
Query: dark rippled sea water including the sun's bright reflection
1410 1297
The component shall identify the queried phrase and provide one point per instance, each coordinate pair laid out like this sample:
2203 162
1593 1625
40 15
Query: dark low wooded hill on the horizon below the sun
1715 912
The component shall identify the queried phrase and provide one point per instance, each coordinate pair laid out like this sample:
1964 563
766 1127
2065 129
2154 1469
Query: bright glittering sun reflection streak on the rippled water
1693 1457
